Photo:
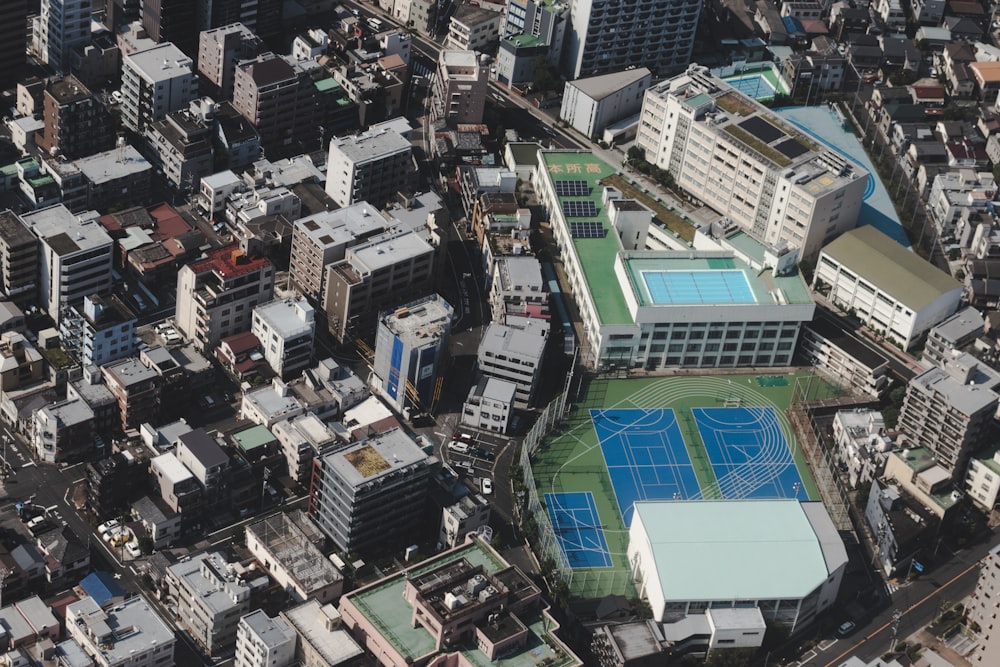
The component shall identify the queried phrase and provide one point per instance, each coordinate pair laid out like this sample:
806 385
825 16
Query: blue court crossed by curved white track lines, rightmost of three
749 454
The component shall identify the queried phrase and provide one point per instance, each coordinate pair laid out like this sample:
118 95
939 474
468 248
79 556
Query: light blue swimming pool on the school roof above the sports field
695 287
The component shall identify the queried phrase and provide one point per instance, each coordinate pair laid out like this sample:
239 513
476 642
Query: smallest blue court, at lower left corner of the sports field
578 528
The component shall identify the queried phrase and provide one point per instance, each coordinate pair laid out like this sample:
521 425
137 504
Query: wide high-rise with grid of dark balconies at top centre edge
605 36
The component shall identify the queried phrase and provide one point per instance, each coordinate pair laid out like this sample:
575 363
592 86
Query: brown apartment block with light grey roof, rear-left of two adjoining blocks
321 239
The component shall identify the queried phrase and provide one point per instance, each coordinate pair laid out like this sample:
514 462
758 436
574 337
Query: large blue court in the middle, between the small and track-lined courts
645 455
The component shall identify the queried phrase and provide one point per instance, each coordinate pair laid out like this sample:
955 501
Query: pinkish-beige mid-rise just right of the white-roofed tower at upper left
219 51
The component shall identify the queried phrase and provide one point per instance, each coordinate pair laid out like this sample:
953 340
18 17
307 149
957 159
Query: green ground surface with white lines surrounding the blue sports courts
570 459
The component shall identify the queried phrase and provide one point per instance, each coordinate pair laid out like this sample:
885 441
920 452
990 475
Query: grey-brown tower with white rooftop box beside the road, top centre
460 88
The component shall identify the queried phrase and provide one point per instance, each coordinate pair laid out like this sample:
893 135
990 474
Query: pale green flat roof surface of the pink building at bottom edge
383 606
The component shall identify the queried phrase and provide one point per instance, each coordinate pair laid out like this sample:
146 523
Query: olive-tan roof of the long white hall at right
908 278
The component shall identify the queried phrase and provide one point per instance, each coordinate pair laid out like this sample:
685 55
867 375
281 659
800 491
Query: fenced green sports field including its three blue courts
668 438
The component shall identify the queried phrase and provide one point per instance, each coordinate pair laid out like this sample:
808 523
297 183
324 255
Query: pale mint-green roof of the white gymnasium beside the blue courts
737 550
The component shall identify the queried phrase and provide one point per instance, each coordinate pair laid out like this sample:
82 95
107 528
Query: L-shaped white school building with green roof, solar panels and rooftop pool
643 308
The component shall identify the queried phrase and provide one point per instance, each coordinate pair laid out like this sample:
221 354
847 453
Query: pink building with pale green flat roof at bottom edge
467 602
